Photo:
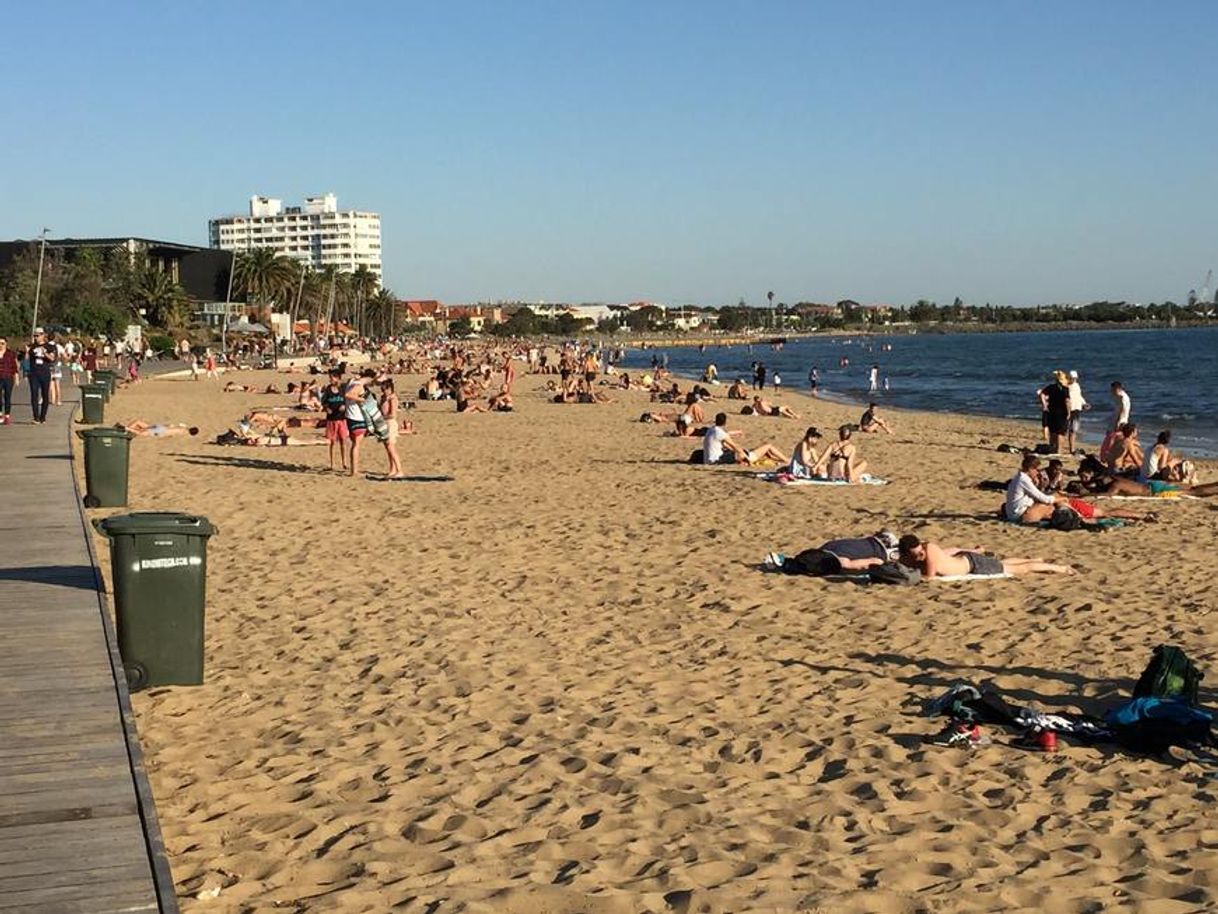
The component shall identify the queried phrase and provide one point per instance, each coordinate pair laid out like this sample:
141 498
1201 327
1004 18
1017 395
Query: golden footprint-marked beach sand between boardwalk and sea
549 676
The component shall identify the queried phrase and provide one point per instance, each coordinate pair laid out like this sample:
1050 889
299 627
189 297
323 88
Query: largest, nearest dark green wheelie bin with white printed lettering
159 564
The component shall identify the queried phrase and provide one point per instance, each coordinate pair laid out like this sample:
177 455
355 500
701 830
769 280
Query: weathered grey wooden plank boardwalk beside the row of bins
79 831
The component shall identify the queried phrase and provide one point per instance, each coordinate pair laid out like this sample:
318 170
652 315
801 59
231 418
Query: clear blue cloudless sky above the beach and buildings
1014 153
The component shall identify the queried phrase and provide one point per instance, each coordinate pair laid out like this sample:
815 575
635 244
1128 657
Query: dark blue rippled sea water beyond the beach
1171 376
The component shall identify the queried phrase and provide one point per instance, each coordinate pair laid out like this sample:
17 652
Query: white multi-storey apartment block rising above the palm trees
316 233
